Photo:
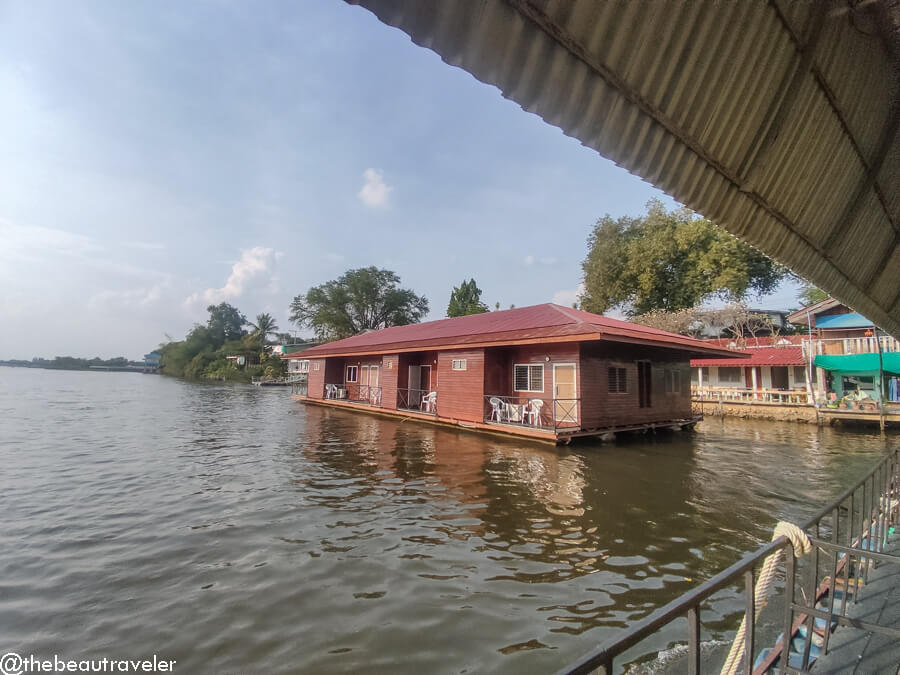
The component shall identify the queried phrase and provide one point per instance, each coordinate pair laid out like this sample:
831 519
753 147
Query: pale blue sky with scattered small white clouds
159 157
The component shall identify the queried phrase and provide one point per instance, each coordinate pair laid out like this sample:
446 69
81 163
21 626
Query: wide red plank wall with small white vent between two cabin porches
461 392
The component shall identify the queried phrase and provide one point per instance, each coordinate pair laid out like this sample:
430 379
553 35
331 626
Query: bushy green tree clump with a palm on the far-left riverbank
228 347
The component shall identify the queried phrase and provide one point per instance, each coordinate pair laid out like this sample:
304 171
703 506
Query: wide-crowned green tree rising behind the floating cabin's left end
362 299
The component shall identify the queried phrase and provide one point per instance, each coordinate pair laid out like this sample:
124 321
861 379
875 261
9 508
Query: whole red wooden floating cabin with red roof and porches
546 371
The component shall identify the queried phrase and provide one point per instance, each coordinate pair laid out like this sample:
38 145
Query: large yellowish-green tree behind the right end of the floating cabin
669 261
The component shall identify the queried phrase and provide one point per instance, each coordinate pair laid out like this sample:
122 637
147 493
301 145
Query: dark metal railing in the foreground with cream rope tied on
847 536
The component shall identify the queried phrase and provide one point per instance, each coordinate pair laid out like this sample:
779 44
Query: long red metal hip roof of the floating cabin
521 325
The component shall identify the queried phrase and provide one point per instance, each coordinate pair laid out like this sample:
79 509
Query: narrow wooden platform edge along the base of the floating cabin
542 434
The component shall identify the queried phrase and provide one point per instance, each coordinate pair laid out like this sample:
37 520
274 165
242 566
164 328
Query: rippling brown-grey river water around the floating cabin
233 529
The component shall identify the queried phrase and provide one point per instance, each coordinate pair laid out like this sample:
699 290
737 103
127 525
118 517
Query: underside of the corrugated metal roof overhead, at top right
777 120
